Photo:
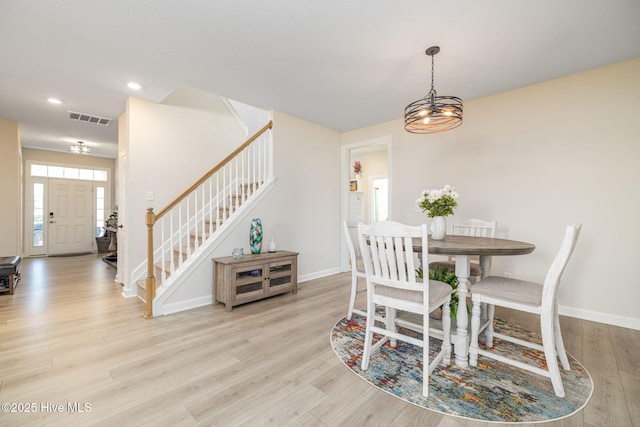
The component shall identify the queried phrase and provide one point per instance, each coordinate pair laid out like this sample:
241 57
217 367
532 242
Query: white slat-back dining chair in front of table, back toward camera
390 268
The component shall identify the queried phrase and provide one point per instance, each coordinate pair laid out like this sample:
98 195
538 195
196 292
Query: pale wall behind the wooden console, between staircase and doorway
302 212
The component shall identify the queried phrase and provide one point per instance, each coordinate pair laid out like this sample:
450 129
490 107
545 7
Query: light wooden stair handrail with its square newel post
151 218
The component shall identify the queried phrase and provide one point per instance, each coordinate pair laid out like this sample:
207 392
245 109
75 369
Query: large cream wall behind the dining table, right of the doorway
536 159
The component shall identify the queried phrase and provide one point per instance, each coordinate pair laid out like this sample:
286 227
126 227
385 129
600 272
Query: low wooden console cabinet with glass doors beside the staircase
254 277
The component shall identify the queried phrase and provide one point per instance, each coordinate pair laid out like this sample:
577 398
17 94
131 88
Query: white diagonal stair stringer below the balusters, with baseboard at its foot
180 278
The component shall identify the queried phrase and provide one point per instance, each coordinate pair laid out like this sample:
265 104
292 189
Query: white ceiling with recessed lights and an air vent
340 64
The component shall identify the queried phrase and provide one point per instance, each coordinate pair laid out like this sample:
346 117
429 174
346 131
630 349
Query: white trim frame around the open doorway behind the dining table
345 171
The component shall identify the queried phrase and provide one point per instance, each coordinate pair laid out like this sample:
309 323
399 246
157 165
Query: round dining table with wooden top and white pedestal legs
463 248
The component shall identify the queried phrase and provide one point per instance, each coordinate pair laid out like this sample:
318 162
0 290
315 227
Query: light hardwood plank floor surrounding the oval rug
67 336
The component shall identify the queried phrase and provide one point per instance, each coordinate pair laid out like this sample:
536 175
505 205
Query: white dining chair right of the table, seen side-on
529 297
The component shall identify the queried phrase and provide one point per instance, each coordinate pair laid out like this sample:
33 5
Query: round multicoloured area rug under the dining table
493 391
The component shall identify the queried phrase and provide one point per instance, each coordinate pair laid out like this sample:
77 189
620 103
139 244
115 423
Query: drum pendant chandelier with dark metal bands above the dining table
433 113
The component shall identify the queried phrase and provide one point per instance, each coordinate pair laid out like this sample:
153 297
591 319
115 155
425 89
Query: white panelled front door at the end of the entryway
70 217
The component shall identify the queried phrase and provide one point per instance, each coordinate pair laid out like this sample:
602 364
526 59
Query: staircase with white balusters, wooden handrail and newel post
183 233
